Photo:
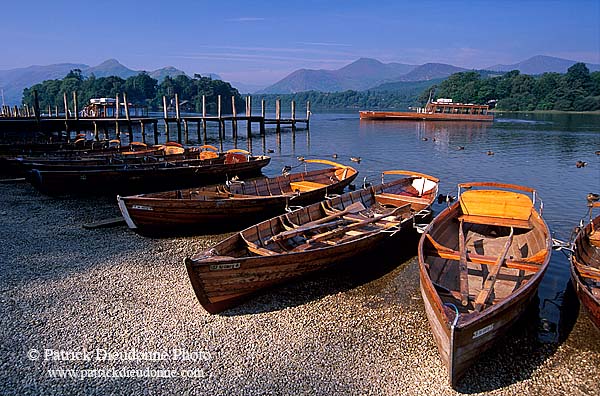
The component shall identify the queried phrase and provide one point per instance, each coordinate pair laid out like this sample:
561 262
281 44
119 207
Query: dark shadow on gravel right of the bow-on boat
522 350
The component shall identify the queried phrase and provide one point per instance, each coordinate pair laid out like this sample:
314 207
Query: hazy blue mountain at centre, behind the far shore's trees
359 75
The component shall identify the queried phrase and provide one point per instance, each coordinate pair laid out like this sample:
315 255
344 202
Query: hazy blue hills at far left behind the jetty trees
13 81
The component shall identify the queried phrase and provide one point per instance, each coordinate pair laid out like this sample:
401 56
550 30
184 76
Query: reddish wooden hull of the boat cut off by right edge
584 256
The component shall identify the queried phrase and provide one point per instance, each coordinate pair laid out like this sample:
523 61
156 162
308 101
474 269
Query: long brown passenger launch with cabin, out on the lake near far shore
439 110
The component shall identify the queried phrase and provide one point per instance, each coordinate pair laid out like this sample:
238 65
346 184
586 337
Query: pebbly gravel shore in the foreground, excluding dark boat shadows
120 305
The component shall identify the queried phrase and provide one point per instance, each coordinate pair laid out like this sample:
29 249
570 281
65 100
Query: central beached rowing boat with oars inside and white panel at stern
309 239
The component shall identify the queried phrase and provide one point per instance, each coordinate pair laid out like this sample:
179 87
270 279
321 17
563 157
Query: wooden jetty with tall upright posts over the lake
15 121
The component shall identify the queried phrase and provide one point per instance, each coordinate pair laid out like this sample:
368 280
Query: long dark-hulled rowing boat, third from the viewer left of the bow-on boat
145 177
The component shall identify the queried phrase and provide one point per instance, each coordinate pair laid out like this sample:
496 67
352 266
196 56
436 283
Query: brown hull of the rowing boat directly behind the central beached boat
165 213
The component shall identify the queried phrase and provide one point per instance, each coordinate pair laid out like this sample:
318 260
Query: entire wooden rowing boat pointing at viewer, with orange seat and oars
481 261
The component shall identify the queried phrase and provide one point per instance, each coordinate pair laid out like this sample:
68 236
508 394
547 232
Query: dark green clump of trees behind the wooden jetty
140 89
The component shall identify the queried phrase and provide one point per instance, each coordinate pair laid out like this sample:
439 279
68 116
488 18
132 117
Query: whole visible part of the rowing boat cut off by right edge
585 266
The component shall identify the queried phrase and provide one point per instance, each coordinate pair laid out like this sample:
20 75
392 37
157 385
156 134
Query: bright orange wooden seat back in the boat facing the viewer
495 207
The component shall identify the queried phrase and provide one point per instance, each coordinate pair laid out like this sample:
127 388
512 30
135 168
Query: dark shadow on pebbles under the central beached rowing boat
342 277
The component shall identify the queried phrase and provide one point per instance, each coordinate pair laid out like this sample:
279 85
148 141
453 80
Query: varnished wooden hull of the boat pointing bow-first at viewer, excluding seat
460 344
